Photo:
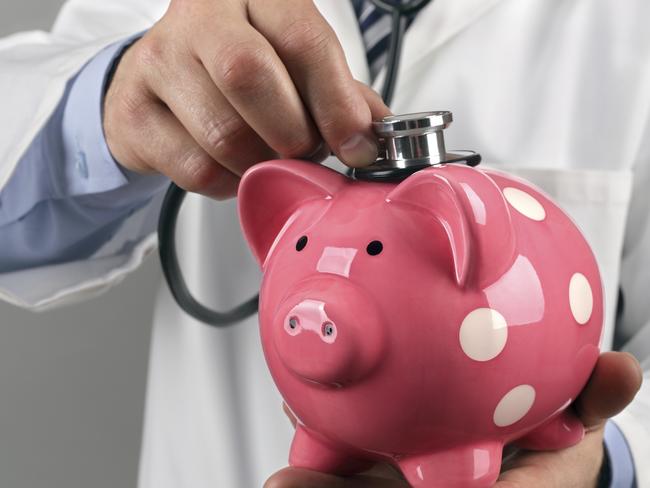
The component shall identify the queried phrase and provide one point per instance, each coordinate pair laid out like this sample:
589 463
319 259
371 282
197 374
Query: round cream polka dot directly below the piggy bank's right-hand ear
483 334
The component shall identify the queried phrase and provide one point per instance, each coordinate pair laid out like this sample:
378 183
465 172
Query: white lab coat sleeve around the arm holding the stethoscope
35 71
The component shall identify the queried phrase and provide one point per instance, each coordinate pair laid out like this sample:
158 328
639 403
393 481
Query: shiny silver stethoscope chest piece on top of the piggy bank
411 142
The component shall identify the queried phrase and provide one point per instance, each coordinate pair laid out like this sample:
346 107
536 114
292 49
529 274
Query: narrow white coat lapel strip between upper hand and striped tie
341 16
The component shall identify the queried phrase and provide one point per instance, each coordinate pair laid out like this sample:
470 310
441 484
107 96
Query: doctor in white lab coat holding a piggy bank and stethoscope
97 116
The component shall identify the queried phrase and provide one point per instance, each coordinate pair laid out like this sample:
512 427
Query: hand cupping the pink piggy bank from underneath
612 386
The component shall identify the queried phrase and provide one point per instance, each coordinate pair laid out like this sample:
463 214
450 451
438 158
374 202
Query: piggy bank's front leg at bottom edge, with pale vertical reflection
470 466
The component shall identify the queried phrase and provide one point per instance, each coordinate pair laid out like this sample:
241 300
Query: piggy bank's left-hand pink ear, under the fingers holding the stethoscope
269 193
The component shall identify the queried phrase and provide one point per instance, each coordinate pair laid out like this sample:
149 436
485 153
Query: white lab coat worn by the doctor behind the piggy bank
557 91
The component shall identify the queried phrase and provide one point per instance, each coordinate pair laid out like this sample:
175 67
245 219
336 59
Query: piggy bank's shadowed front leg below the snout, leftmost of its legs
308 451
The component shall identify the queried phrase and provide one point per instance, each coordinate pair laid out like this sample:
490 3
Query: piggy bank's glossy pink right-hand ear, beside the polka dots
474 214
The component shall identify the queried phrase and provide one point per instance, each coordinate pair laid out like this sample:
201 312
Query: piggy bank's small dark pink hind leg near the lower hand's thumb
560 432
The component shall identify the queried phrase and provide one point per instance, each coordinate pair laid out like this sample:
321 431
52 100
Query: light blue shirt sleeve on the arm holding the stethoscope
68 195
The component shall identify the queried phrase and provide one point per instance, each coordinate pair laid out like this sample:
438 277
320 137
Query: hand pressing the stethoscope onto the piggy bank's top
218 85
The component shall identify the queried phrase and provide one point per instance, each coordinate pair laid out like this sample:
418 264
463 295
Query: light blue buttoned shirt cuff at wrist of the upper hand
89 165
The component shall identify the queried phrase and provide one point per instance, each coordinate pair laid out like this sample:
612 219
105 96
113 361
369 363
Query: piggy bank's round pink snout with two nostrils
333 340
